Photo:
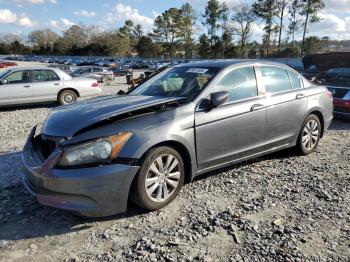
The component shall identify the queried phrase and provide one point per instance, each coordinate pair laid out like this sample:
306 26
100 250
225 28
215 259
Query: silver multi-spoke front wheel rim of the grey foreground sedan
163 177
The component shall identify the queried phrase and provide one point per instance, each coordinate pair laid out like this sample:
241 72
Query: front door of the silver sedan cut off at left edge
18 88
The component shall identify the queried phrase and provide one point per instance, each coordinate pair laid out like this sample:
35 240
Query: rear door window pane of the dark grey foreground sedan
276 79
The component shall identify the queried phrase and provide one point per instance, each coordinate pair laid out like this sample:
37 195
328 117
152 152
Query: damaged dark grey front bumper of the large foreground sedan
94 192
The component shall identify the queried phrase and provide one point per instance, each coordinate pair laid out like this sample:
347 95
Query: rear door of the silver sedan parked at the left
46 85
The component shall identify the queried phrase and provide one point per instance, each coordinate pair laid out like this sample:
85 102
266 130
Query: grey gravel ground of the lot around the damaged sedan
279 207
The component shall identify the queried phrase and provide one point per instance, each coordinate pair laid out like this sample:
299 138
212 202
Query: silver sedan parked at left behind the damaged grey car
43 84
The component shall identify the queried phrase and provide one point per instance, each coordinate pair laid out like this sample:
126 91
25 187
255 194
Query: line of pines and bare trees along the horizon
226 33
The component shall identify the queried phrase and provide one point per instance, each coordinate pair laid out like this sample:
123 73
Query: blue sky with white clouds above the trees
23 16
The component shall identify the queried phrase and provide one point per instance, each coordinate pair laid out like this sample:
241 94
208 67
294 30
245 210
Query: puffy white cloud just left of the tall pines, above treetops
125 12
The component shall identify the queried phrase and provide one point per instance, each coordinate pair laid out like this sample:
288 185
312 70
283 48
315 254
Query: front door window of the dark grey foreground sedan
239 83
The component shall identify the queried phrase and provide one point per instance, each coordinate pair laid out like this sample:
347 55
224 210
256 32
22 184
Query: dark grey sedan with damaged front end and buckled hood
92 157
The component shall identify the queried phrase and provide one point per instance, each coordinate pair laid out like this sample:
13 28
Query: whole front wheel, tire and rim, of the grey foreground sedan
159 180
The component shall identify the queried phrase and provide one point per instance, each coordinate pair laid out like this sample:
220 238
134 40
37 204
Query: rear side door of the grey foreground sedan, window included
286 105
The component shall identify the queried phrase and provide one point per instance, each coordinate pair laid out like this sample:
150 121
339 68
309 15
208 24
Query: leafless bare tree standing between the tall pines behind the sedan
243 17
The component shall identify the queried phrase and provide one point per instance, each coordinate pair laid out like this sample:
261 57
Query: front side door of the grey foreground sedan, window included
236 129
